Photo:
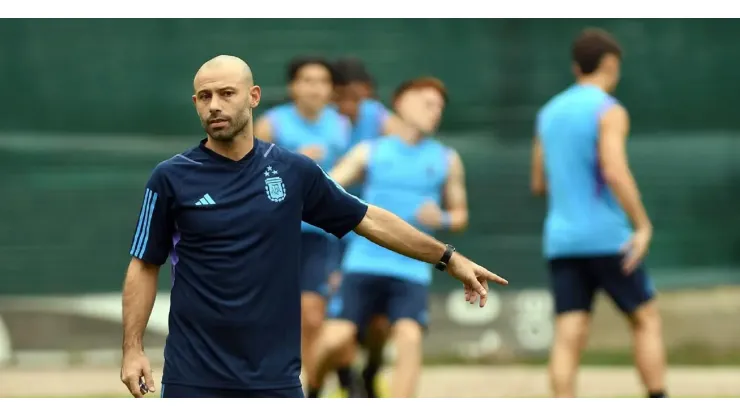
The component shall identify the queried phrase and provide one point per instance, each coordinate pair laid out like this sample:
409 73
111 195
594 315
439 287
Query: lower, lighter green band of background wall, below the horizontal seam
68 214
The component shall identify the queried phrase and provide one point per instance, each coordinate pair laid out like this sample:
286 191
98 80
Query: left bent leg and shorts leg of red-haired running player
350 311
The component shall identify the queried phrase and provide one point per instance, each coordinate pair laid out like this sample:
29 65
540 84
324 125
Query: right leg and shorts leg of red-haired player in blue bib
407 312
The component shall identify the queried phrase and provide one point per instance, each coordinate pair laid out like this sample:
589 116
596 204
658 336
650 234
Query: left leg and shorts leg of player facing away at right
573 290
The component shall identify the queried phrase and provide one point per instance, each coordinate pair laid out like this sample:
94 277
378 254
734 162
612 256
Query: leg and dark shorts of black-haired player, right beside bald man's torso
315 250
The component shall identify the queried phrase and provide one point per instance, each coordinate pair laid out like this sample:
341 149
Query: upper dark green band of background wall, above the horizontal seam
135 76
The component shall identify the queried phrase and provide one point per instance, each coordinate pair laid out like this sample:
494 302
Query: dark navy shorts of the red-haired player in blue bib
362 296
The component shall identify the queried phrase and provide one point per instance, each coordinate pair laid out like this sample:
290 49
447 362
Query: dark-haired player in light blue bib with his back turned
579 160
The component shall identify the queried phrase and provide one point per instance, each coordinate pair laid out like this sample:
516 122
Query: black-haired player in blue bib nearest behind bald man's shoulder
309 125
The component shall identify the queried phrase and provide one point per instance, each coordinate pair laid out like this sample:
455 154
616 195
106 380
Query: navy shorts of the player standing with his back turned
575 281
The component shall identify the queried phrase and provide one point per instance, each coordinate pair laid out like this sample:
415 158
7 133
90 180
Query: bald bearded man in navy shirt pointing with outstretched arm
228 213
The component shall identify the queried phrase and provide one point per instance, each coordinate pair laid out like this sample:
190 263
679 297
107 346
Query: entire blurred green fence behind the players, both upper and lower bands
91 106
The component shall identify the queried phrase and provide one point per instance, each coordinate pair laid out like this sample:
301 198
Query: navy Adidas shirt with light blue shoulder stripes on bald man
232 231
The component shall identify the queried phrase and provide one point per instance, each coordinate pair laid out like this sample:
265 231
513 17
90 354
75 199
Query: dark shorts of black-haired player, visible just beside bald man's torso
317 251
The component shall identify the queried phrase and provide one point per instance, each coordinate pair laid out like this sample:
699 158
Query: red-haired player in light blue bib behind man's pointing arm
410 175
